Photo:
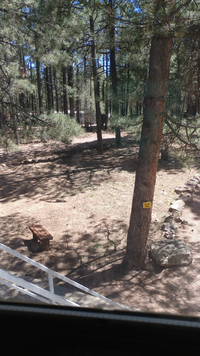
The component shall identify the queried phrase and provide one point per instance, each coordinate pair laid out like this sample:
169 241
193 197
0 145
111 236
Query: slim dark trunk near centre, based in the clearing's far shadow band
96 90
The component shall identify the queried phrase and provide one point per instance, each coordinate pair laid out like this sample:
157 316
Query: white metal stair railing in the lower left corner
41 293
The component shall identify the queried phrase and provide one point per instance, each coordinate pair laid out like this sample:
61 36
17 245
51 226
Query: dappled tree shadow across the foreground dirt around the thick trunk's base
174 290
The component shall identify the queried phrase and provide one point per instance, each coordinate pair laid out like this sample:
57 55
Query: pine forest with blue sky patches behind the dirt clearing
47 67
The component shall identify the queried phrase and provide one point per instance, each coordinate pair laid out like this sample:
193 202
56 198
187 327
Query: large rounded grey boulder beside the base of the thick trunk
170 253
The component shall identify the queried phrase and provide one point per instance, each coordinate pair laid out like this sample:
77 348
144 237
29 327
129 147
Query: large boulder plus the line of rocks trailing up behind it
170 252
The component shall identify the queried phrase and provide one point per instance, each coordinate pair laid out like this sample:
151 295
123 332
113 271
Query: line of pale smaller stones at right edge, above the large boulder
173 216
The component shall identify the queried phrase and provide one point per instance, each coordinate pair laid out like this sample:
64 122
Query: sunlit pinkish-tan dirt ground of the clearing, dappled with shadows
84 201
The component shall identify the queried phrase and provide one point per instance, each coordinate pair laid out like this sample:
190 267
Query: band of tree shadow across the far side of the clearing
71 174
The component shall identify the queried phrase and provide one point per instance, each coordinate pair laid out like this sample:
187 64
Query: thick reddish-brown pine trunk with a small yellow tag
155 101
